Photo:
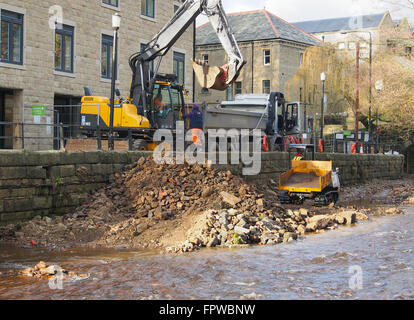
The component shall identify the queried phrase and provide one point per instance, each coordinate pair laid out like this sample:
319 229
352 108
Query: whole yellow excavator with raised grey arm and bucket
157 101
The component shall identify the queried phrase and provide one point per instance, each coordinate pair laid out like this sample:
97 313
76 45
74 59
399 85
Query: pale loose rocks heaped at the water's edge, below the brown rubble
231 227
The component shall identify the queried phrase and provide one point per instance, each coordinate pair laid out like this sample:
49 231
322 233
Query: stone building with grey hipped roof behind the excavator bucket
272 47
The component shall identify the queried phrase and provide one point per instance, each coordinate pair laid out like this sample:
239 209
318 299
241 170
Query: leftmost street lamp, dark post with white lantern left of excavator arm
116 23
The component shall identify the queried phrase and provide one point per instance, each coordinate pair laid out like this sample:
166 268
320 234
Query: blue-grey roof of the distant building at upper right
338 24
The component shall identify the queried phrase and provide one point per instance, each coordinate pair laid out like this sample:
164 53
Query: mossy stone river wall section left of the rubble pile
43 183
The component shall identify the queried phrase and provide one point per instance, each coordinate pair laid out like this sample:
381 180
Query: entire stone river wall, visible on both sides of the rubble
54 183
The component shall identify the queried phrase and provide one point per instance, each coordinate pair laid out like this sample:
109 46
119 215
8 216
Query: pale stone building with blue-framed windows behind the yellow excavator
47 64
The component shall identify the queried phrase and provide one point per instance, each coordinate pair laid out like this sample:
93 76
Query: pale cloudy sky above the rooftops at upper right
301 10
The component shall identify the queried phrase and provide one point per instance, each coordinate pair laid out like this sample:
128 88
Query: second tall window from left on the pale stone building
64 49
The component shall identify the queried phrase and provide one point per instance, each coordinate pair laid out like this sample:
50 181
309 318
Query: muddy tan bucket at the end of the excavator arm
211 77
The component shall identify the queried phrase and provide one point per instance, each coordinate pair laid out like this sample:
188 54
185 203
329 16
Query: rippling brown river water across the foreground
372 260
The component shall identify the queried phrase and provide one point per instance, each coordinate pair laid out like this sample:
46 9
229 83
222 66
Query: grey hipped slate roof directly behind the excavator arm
256 25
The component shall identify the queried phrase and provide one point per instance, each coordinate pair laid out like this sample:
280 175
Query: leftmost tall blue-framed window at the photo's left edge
11 50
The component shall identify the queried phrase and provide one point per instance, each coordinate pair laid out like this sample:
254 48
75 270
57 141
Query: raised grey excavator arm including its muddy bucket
218 78
